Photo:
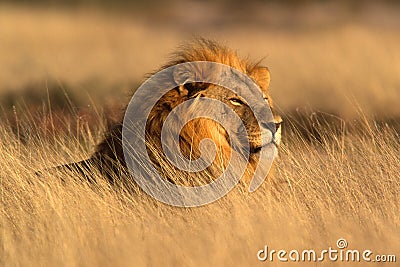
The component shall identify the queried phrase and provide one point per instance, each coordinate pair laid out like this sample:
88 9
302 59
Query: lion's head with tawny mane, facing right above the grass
192 134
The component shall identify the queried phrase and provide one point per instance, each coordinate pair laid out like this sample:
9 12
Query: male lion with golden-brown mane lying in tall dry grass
109 156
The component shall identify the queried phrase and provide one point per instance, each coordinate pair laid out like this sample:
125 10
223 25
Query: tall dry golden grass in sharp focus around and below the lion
345 186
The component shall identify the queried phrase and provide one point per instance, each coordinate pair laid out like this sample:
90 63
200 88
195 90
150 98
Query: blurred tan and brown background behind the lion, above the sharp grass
83 57
